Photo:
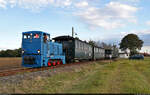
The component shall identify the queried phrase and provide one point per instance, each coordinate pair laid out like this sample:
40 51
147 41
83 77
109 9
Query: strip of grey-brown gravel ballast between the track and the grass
17 79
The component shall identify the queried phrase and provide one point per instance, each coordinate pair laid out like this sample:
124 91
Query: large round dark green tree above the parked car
131 42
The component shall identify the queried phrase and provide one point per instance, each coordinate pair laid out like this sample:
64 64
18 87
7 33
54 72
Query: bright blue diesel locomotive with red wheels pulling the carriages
39 51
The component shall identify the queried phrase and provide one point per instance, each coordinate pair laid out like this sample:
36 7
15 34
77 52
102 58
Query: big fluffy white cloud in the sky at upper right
112 16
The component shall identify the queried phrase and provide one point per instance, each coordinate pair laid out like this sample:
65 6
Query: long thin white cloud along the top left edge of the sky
35 4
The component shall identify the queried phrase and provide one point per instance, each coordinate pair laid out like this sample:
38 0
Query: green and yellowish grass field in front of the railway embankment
122 76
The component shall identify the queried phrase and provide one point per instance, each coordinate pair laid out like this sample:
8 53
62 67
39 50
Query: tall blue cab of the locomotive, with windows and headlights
32 48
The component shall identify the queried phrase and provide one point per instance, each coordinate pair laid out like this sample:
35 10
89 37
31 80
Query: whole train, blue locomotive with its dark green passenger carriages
38 50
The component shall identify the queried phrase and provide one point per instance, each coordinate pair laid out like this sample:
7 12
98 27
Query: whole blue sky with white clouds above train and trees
100 20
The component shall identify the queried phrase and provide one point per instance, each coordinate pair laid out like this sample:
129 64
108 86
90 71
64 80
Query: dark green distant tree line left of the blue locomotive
11 53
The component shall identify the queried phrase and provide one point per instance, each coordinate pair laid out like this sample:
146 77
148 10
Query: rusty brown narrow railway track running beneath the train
24 70
